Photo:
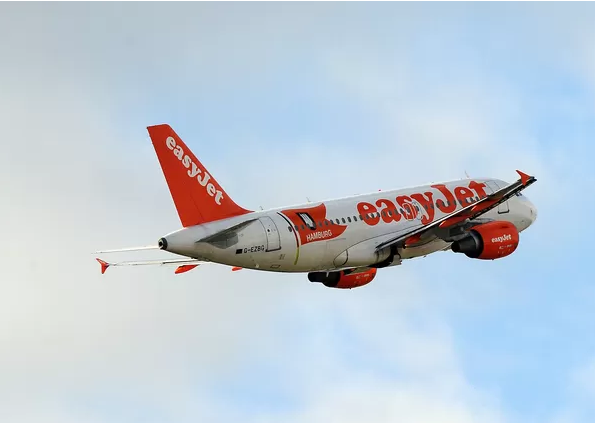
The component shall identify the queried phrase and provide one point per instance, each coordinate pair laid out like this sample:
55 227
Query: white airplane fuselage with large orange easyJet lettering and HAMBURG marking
332 235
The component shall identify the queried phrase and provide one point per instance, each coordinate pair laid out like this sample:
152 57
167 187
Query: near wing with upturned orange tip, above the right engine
467 213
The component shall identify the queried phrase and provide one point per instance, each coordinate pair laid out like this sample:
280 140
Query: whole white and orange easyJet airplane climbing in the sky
340 243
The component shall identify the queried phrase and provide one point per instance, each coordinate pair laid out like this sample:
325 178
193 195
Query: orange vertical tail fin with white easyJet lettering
197 195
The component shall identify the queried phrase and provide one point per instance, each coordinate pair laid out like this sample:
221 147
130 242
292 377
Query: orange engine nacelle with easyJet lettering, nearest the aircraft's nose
489 241
